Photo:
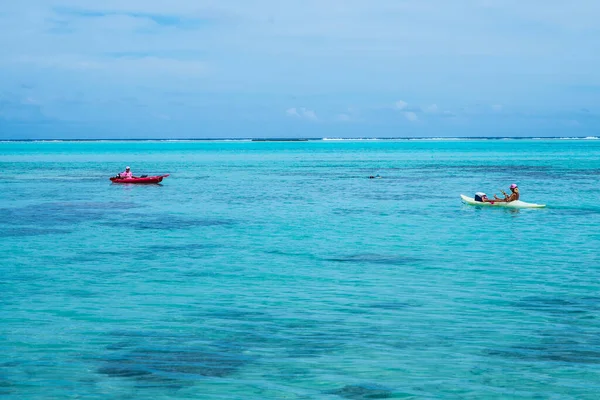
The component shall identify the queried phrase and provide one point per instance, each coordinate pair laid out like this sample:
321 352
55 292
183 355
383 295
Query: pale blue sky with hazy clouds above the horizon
277 68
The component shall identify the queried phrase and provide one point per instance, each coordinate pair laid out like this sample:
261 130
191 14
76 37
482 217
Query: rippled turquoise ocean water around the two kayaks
271 270
